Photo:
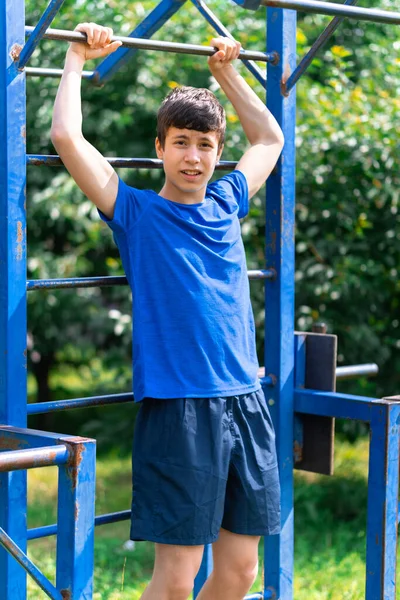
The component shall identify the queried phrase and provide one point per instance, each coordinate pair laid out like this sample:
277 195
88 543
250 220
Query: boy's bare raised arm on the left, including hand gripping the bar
91 171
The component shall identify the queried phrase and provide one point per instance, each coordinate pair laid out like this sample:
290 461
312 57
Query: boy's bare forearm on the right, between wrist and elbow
258 123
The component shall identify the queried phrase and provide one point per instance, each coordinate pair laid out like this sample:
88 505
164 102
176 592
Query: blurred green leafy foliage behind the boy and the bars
348 234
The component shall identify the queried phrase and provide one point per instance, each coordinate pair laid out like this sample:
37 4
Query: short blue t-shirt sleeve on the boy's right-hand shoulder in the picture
232 191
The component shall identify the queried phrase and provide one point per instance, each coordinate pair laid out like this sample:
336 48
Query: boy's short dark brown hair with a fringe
191 108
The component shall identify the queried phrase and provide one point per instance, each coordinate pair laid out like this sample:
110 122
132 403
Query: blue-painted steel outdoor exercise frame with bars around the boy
300 369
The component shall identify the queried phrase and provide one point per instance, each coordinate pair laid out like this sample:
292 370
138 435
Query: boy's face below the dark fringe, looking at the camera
189 158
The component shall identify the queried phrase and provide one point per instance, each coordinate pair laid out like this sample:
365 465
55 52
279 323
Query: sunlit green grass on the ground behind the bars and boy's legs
330 518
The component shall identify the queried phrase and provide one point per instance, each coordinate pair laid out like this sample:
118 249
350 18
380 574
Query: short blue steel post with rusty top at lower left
75 538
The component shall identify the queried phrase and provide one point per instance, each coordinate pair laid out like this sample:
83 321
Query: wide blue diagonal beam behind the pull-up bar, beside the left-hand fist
152 23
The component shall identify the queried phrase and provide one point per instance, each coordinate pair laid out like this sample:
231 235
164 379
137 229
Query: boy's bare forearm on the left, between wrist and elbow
67 113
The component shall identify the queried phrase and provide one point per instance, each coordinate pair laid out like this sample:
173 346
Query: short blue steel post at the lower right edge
383 496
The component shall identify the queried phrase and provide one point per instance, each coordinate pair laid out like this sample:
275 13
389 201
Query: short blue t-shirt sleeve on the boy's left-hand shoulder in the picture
129 205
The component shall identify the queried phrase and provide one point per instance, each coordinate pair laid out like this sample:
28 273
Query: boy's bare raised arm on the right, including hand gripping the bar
259 125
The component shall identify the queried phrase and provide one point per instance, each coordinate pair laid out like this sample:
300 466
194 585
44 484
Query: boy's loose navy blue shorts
200 464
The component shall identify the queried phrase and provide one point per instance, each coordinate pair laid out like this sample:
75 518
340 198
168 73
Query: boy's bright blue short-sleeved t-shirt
193 326
